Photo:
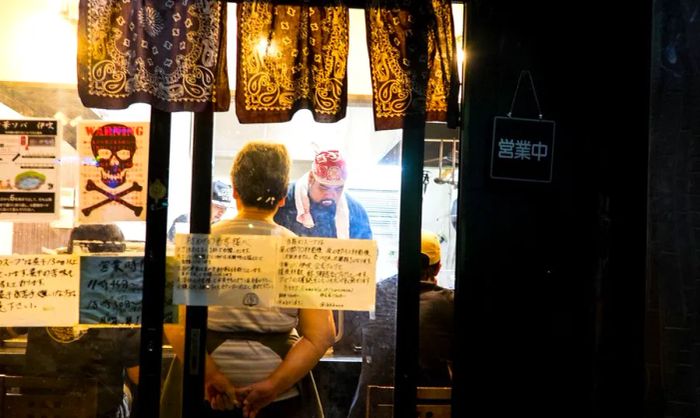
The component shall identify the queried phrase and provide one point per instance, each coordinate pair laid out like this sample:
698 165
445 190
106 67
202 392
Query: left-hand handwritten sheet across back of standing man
234 270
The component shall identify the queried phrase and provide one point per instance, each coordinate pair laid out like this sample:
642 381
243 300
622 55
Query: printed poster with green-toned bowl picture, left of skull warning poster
29 170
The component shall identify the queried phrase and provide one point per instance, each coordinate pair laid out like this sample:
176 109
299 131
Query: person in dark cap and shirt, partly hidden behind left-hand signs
109 355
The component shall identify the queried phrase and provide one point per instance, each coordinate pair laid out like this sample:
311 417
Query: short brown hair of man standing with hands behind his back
260 174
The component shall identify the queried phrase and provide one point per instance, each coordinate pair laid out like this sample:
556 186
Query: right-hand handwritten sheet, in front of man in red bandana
327 273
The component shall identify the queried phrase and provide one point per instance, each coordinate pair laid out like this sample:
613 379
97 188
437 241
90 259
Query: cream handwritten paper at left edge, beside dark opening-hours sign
39 290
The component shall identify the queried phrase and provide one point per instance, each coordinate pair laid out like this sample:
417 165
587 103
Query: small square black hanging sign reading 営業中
522 149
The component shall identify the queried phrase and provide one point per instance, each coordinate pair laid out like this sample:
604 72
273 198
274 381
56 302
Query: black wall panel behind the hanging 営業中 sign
551 284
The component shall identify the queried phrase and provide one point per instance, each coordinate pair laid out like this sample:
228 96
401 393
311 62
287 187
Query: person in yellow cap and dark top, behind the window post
436 331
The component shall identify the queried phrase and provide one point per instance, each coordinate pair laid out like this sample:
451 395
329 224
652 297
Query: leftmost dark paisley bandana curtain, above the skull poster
170 54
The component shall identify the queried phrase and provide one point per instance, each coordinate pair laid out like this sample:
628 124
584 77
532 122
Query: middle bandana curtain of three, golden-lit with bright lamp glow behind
291 57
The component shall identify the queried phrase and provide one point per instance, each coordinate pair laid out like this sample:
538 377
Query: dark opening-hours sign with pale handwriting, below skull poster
111 291
